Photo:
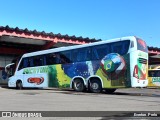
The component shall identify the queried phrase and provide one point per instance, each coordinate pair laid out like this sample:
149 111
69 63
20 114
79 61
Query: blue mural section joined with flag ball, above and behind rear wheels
111 67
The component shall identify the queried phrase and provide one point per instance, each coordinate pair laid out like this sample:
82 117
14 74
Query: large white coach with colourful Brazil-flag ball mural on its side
102 65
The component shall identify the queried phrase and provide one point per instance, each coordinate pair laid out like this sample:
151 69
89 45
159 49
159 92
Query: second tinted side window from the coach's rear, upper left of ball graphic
100 51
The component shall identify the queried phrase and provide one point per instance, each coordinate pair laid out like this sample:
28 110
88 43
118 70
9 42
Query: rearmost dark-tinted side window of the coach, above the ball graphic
120 47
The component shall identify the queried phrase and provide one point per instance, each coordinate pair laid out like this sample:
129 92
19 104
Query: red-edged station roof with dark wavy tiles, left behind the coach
16 41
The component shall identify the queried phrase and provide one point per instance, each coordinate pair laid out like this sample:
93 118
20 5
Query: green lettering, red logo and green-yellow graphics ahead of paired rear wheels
53 76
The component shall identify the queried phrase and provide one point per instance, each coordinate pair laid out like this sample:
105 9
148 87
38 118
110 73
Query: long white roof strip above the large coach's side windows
77 46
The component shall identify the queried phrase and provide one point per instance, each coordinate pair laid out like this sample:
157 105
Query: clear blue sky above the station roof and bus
99 19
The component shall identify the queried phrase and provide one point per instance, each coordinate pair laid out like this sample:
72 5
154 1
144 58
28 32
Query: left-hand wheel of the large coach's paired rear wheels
78 85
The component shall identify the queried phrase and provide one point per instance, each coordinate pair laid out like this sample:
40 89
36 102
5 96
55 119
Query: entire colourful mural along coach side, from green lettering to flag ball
112 69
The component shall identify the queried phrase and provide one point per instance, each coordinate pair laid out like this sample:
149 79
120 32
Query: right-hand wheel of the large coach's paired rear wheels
95 85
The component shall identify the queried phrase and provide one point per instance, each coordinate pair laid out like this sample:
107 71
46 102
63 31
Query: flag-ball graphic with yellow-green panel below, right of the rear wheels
113 70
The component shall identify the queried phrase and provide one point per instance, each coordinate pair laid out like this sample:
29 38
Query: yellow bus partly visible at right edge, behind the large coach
154 76
